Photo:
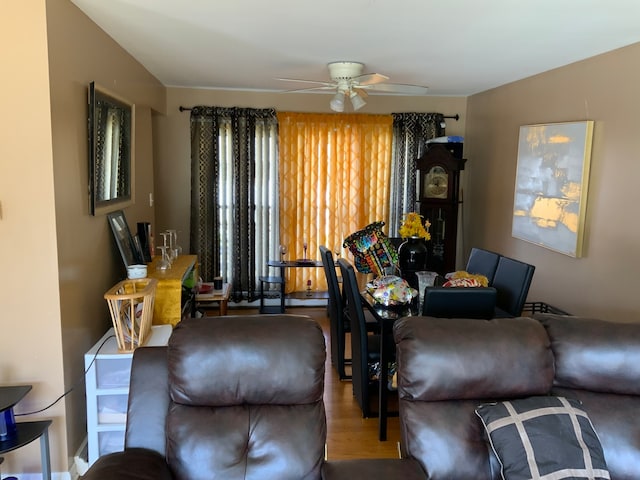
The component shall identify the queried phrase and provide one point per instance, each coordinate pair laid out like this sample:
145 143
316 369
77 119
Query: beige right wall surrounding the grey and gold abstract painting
603 283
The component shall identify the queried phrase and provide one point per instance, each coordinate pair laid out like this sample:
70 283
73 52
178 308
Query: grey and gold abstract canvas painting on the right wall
552 181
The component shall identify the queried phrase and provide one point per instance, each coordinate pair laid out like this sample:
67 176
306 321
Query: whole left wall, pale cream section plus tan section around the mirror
57 259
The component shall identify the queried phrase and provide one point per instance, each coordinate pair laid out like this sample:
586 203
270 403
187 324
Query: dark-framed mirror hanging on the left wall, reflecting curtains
111 165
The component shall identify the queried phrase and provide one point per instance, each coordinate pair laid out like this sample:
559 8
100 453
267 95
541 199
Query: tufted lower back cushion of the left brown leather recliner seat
246 441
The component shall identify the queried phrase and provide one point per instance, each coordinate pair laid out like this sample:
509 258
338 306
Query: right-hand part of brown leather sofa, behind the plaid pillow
447 367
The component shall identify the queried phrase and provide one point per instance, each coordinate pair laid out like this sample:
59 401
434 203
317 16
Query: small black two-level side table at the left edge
25 432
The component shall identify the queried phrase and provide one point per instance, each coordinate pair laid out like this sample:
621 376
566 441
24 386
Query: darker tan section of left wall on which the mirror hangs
89 263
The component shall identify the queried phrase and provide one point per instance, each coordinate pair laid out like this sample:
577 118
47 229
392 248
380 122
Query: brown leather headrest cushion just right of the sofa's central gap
471 359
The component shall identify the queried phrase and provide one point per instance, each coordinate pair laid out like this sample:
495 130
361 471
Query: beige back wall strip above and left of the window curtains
172 138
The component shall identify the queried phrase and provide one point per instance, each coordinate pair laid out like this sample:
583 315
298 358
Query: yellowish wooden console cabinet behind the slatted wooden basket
168 307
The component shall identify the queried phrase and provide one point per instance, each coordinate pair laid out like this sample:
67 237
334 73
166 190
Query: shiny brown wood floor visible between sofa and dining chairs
348 434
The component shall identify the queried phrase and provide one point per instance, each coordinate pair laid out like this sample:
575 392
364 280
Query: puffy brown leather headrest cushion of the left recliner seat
225 361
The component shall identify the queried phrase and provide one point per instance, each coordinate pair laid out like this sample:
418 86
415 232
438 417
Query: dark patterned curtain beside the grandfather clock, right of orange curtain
410 133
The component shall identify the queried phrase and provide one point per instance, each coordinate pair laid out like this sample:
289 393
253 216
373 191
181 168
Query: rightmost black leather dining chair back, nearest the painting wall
511 281
